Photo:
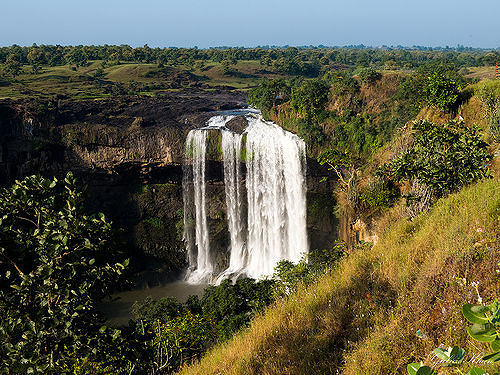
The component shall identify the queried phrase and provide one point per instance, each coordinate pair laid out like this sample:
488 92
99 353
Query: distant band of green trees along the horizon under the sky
289 60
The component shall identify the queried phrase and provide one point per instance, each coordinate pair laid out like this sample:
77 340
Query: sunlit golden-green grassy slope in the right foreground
362 317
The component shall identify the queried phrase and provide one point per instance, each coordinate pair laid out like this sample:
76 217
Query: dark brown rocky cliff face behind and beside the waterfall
129 152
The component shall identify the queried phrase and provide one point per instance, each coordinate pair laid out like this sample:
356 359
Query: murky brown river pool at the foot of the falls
118 310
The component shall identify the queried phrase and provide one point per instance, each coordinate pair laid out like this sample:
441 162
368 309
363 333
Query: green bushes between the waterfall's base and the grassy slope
180 332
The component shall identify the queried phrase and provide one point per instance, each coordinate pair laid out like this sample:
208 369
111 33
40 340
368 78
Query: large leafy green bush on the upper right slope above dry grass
443 157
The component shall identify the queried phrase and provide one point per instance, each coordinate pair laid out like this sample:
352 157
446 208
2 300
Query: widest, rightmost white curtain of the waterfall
276 197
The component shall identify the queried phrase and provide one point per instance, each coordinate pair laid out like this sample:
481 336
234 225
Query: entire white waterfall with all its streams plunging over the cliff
275 226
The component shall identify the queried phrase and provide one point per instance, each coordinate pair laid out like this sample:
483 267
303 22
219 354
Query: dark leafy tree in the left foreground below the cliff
55 264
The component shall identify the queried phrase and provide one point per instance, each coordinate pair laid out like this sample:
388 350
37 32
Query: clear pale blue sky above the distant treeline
209 23
